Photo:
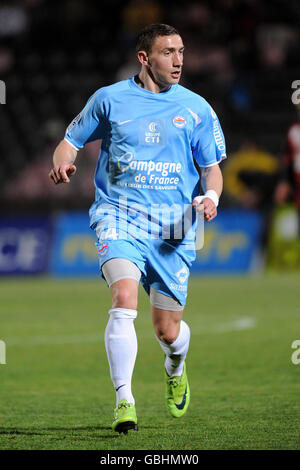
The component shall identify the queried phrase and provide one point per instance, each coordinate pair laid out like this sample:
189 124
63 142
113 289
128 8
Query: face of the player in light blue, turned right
165 59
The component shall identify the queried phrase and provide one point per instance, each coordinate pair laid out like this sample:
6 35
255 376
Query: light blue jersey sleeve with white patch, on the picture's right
208 142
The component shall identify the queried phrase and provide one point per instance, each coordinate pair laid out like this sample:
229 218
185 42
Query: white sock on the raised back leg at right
176 352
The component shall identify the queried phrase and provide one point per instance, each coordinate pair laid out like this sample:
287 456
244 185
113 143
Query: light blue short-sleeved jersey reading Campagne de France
146 177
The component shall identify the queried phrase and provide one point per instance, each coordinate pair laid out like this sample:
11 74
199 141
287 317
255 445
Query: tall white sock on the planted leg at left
121 349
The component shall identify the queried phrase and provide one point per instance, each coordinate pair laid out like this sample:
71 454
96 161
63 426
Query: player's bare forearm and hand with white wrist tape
212 185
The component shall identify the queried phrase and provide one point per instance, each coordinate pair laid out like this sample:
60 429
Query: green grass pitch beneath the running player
56 393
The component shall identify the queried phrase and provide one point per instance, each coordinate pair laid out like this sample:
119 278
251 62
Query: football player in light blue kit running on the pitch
159 140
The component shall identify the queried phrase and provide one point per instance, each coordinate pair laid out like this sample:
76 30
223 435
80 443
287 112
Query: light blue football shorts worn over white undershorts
162 265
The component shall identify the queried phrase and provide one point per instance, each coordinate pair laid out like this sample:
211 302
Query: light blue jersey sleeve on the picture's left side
89 124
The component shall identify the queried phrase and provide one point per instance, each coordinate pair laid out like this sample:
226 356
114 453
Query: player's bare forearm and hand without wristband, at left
63 163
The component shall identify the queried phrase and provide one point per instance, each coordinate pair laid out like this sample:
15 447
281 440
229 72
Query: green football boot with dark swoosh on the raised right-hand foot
177 394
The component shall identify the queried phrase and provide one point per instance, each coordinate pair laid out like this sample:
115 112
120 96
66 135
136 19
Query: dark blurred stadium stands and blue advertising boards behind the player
241 55
